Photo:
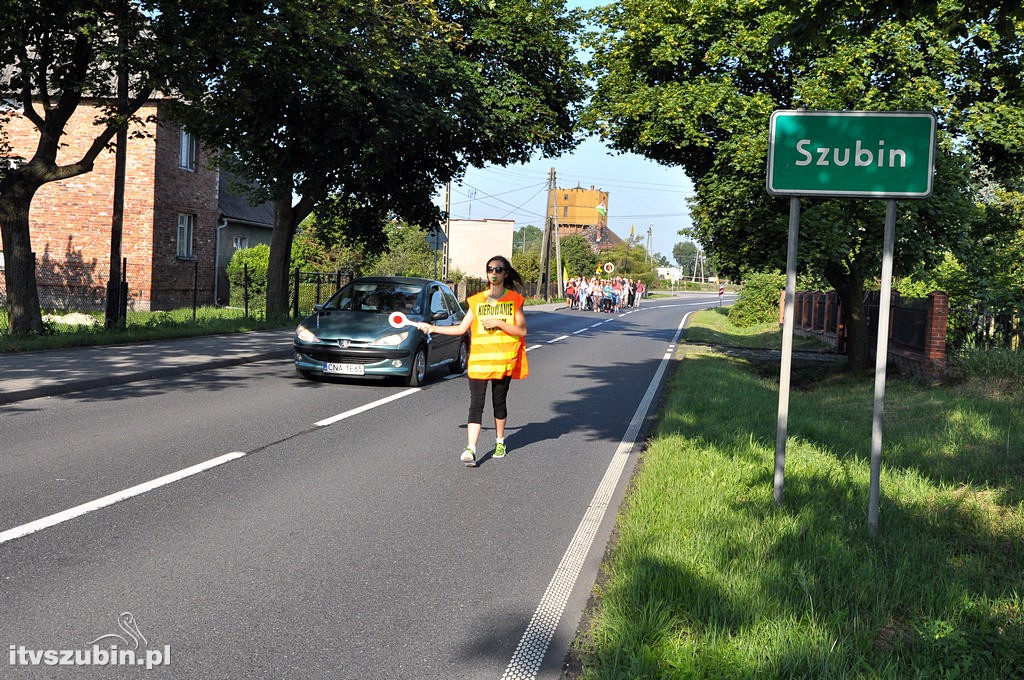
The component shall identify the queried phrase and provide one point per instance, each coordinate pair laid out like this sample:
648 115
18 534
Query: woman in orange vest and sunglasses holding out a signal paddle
497 351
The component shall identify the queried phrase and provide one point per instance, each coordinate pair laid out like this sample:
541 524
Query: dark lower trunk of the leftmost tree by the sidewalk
24 313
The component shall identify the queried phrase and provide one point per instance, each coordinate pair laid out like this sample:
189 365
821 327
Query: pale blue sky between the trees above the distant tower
642 193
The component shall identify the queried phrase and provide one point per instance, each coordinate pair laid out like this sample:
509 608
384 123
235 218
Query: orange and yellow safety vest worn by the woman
495 354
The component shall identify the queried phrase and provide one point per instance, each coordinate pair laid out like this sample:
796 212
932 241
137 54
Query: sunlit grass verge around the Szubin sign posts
709 578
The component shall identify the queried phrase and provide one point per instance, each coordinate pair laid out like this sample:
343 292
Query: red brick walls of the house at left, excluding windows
71 220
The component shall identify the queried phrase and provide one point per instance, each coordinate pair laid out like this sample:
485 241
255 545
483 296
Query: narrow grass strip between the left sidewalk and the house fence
141 327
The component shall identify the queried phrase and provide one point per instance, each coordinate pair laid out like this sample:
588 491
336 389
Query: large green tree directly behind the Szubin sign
694 83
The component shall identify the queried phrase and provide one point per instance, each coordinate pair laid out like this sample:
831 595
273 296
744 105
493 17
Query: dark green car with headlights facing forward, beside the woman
352 336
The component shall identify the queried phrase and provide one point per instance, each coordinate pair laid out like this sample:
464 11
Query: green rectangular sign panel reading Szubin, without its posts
851 154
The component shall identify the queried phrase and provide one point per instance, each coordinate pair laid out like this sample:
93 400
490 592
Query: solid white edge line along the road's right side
534 645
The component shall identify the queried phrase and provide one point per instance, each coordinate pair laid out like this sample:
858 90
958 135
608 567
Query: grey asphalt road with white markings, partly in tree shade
334 533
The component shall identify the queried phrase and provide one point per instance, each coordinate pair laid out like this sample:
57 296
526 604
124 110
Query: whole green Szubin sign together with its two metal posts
867 155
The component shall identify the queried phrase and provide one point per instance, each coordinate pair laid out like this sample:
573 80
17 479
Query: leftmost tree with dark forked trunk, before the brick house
54 55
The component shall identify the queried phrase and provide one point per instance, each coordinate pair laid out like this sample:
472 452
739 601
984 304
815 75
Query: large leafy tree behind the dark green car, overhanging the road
374 106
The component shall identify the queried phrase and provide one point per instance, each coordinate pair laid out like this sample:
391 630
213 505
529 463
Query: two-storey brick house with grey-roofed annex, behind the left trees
174 219
